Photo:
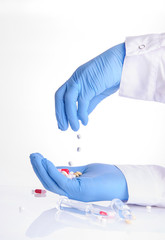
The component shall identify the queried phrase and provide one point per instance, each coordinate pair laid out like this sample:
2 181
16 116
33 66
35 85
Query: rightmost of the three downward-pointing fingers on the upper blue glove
83 111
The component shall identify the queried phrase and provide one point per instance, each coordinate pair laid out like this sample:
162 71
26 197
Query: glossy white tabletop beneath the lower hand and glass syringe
23 216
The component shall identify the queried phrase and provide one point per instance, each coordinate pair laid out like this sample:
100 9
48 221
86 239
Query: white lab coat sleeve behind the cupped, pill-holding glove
146 184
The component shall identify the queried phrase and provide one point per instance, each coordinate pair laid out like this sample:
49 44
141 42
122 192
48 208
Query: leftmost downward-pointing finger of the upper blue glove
60 108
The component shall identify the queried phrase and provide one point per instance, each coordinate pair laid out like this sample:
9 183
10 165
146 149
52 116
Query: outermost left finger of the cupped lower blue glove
39 167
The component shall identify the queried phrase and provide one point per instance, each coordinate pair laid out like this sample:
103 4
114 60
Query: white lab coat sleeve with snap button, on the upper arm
143 74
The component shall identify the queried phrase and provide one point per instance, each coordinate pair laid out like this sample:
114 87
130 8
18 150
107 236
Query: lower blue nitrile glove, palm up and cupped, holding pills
99 182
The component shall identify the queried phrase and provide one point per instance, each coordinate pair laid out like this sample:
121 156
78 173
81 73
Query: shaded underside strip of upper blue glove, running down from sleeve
97 99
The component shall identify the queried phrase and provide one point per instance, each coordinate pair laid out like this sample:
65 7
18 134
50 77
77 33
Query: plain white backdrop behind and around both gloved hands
41 45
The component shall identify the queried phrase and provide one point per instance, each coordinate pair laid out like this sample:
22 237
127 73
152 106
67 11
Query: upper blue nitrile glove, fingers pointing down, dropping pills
89 84
